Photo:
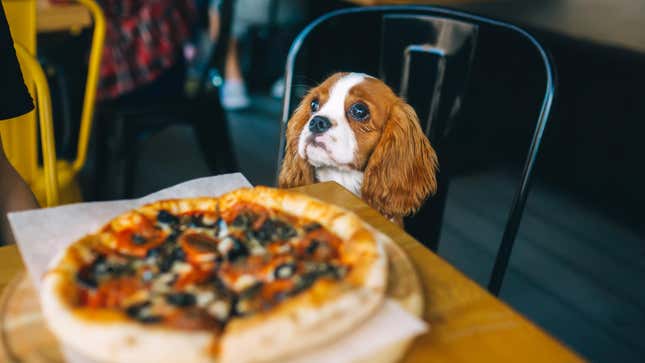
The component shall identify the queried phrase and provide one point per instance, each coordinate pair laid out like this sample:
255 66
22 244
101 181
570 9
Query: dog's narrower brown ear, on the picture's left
295 170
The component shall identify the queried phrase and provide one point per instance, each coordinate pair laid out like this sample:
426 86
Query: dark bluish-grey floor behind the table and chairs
574 271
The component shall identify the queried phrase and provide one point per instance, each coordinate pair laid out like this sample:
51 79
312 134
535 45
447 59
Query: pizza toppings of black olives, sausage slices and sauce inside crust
176 269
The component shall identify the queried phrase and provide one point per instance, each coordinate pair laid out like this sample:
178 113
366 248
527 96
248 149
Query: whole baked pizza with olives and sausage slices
255 275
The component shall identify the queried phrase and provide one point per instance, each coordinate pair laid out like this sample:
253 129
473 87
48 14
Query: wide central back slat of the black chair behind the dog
426 60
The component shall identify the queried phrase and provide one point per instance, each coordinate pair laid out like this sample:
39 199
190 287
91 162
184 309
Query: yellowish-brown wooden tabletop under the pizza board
467 324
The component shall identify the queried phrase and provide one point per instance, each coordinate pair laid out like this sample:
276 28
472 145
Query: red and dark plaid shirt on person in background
143 38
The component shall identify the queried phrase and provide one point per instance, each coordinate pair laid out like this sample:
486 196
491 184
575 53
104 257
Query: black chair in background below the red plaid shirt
123 126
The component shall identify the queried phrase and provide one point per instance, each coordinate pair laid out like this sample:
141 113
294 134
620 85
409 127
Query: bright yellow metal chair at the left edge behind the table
21 15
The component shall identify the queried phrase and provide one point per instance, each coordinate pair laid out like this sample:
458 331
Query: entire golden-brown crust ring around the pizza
316 316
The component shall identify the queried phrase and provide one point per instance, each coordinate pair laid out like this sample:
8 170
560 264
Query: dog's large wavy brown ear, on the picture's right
401 172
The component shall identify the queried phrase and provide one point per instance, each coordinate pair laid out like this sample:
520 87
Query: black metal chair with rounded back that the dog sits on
425 54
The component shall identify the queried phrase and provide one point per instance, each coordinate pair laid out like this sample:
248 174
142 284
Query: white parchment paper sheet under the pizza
41 234
